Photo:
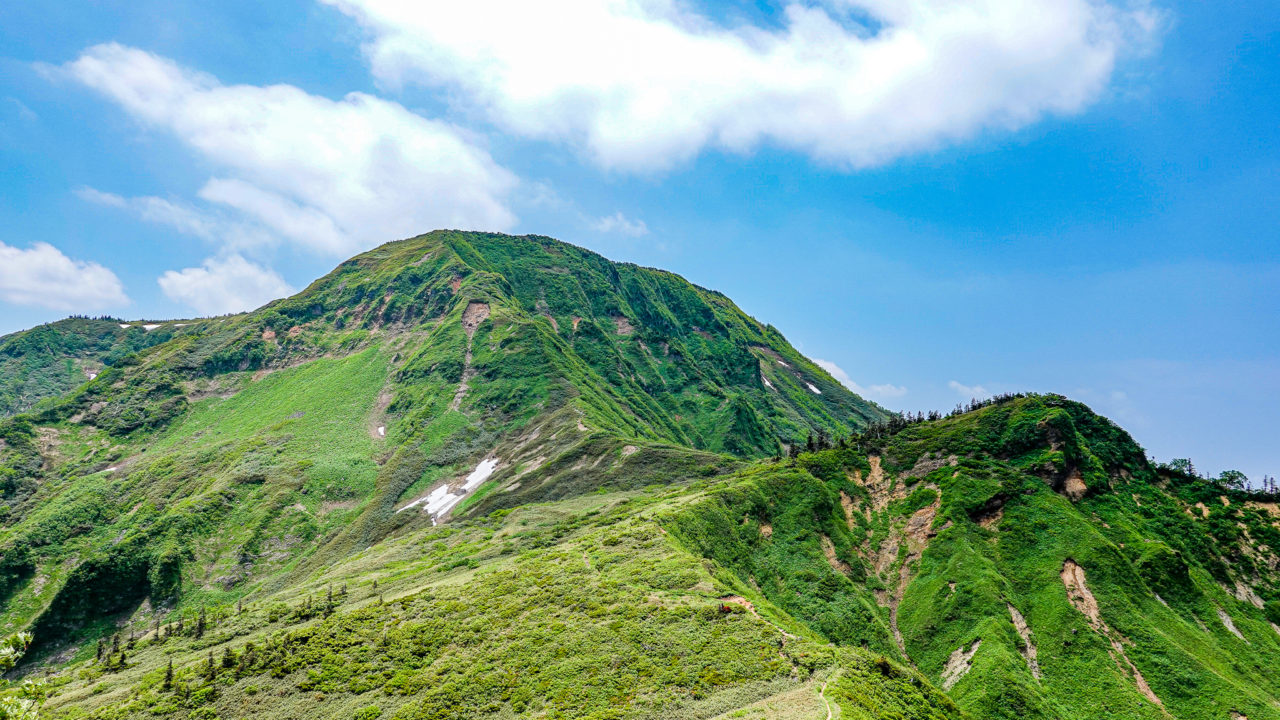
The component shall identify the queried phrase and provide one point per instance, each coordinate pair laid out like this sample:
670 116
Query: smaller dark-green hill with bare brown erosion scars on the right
1027 558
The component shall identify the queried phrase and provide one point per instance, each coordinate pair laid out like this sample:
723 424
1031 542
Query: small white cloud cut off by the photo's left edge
43 276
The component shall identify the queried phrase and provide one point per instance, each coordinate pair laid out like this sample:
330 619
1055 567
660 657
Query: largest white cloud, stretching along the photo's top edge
647 84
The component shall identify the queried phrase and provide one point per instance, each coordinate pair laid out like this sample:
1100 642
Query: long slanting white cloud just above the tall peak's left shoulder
330 176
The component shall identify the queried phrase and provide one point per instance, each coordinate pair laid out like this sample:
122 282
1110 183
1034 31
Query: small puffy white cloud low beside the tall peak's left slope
225 285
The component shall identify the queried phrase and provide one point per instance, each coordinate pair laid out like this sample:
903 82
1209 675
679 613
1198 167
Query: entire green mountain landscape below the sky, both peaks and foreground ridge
472 476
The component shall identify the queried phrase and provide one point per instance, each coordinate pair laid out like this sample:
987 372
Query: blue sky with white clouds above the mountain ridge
935 199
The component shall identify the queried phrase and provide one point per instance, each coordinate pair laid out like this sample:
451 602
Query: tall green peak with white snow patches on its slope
410 385
